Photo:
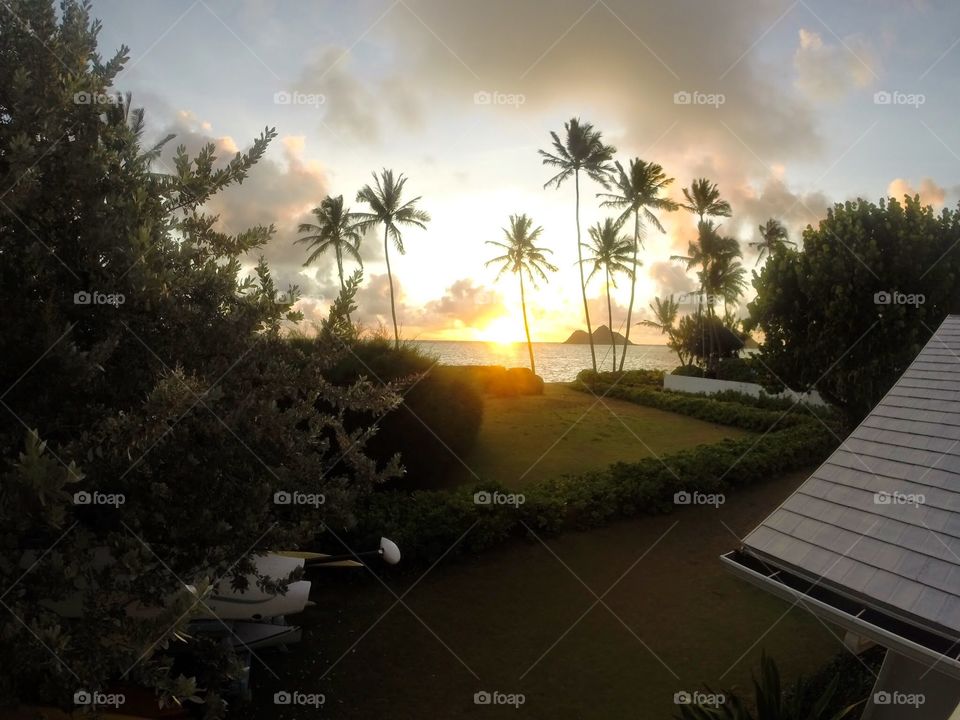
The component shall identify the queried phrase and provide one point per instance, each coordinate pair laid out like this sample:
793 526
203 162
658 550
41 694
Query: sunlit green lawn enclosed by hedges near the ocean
524 439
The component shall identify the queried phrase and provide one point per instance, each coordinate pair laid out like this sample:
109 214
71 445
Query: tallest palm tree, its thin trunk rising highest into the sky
581 149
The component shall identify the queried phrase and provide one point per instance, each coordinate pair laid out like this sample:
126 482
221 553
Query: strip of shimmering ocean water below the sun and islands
556 362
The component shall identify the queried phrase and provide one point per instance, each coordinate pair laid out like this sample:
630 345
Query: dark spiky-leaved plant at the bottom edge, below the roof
770 702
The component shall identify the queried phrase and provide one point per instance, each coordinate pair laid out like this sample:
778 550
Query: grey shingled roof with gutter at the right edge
875 531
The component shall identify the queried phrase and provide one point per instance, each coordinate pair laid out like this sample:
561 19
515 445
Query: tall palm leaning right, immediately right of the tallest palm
638 191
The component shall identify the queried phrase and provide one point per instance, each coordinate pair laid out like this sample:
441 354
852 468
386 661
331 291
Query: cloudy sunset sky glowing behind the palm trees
790 107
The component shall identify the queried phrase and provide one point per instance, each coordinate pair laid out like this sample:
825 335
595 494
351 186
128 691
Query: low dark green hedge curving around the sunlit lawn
427 523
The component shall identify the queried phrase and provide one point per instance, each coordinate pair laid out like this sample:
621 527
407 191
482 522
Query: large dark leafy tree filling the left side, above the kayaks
139 363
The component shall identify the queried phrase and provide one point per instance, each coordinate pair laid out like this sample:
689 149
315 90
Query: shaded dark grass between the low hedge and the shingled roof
521 619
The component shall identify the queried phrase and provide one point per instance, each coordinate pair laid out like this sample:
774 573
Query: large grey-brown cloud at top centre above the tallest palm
616 60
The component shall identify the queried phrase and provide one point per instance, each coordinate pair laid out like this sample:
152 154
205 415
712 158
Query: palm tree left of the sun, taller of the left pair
387 208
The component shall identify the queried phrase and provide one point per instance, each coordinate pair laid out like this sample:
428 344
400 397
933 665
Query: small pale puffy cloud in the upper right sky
828 72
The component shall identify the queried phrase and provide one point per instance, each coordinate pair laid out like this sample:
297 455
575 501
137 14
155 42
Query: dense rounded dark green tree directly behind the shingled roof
830 316
